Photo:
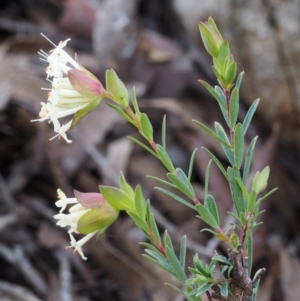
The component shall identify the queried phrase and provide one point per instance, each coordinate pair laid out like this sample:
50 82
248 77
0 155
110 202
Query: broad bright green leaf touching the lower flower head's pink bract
117 198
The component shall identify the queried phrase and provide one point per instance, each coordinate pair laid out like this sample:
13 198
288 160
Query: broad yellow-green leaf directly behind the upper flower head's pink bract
115 86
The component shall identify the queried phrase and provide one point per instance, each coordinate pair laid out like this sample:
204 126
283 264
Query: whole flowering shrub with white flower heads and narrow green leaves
75 91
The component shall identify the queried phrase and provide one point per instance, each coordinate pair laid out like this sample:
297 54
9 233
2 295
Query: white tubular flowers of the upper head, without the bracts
63 99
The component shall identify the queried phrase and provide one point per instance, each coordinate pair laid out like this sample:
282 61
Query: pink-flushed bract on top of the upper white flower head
85 82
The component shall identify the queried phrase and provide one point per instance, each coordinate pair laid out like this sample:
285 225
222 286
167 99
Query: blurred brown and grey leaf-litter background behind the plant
154 46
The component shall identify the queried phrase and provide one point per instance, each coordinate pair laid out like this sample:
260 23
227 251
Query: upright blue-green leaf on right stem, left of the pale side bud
236 191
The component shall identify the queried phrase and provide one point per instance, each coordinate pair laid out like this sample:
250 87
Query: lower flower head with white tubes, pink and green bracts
89 214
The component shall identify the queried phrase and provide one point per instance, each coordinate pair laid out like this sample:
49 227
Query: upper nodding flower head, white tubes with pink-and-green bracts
73 89
